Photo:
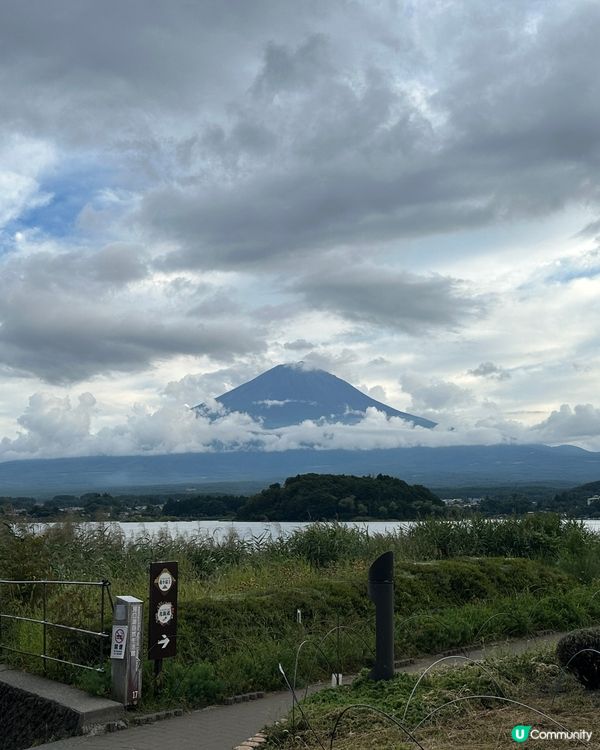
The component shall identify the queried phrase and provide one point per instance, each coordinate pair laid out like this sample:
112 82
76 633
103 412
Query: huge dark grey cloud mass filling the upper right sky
508 130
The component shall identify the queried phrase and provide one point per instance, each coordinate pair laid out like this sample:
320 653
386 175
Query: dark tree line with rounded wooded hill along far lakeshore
308 497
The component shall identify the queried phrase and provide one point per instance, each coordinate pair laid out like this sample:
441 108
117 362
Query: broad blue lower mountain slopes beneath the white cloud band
482 465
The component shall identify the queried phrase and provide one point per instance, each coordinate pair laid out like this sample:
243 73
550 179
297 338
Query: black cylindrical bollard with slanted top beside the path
381 593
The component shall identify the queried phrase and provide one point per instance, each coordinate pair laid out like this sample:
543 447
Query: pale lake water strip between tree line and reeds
252 529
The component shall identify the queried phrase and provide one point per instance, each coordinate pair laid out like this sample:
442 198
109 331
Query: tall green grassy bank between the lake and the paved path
456 584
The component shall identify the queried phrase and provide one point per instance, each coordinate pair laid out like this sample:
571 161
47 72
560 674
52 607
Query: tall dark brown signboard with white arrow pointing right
162 626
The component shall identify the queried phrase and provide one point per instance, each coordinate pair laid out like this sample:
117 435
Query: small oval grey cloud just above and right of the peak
381 297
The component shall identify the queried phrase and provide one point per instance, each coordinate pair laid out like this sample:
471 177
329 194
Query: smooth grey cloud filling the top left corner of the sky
98 71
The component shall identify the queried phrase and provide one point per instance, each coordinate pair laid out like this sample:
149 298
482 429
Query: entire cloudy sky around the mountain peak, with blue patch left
404 194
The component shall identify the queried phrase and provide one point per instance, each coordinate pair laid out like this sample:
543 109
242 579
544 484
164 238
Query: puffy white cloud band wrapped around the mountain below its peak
54 426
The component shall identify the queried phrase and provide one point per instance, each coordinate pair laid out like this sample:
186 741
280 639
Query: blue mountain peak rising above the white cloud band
292 393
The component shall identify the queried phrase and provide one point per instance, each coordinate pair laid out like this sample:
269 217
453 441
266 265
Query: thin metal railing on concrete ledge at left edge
101 635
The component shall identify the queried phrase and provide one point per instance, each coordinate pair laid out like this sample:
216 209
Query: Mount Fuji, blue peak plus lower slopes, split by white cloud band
289 395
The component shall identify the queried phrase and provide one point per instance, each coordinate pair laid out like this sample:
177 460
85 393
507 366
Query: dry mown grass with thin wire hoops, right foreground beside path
441 710
